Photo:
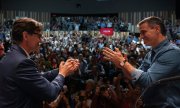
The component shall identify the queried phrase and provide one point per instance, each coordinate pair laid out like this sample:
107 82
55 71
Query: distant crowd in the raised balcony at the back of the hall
88 23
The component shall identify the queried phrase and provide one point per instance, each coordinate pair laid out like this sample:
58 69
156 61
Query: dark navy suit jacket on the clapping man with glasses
22 85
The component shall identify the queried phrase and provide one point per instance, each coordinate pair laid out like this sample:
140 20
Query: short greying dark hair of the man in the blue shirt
152 21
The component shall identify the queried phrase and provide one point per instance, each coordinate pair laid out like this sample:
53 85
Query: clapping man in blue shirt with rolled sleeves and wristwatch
159 63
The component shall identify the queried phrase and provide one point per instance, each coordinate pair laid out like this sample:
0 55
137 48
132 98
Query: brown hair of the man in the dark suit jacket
24 24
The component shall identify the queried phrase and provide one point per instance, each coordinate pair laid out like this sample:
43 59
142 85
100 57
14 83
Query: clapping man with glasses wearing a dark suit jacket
22 85
